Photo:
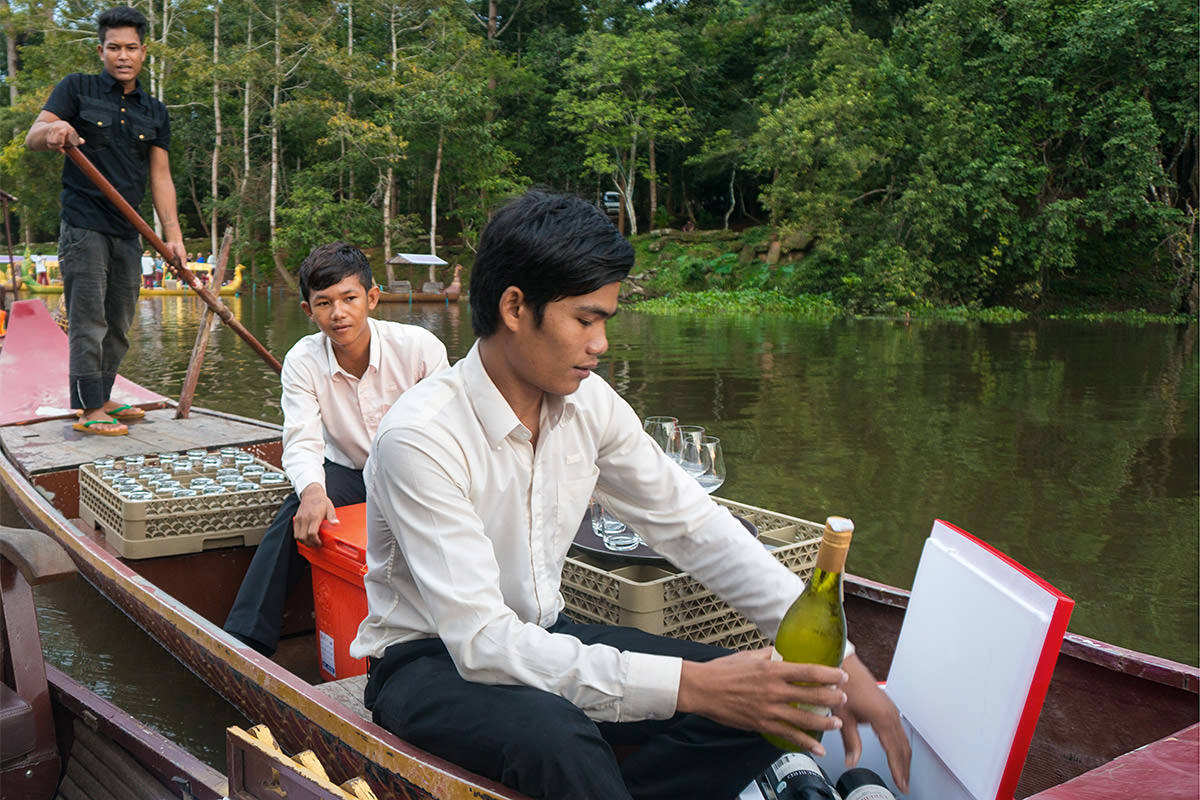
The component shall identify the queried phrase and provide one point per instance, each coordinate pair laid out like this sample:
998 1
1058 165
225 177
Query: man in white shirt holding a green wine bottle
477 483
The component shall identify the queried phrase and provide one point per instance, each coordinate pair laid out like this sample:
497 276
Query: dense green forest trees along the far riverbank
898 153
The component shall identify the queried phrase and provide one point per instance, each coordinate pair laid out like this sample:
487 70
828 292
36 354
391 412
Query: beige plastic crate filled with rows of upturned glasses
176 526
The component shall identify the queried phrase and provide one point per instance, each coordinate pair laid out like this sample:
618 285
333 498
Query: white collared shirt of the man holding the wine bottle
469 528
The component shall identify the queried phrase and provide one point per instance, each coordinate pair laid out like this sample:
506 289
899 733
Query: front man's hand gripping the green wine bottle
752 693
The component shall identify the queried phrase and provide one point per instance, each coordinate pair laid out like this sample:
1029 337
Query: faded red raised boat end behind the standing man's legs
35 369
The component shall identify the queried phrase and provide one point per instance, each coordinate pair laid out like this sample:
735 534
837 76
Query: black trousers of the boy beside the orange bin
257 612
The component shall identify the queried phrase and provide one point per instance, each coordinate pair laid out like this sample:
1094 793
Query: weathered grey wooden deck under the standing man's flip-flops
55 446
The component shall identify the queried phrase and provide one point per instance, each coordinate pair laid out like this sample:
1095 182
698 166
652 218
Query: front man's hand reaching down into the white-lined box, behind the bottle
866 702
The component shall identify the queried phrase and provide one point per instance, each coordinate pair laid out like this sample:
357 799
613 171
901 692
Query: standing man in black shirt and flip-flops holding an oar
127 134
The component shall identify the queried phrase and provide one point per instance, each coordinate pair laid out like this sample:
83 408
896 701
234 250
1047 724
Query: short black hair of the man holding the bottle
550 246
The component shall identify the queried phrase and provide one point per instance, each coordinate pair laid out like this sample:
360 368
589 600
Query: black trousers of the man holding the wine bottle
545 747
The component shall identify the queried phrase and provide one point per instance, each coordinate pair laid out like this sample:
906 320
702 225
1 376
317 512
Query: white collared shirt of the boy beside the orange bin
328 413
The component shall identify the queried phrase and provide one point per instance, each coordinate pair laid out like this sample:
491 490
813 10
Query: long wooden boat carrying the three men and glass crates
1103 701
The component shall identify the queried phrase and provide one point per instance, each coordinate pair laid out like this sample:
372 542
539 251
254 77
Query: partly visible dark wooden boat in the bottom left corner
58 739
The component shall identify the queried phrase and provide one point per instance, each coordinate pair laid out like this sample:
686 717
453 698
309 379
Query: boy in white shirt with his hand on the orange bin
338 384
